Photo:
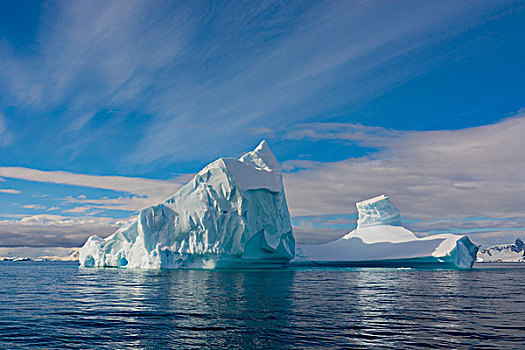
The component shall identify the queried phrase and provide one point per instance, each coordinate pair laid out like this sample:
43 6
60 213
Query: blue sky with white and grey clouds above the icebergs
107 107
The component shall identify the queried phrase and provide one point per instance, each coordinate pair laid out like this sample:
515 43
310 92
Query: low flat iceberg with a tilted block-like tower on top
381 240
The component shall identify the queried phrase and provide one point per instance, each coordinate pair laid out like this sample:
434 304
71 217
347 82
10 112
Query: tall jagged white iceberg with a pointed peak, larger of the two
232 214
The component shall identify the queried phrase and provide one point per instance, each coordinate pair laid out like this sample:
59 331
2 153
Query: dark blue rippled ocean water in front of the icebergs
53 305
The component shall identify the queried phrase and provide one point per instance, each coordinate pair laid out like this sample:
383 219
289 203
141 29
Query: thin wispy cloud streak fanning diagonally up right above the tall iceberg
287 73
